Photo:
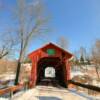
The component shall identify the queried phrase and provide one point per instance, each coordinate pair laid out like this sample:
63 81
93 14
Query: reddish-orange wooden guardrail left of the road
10 89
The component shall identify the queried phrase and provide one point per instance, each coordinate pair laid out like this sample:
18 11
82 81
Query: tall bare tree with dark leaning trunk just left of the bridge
30 21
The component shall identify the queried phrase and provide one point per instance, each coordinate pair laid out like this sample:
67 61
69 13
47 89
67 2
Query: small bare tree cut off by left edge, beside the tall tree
7 43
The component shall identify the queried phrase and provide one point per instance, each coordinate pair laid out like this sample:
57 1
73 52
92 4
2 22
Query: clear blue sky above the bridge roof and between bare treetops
77 20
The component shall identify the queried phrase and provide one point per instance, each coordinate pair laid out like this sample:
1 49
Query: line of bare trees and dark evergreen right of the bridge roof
82 58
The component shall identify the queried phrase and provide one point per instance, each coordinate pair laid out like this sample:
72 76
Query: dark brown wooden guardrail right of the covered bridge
91 87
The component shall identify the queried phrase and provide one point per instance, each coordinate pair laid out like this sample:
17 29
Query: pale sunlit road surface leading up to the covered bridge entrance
47 93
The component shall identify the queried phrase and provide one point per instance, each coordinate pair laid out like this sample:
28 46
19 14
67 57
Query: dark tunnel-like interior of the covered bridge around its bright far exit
60 72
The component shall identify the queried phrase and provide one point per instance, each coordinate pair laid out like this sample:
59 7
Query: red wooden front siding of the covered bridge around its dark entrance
41 53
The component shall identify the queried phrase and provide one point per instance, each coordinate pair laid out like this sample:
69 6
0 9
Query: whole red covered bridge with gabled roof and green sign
54 57
